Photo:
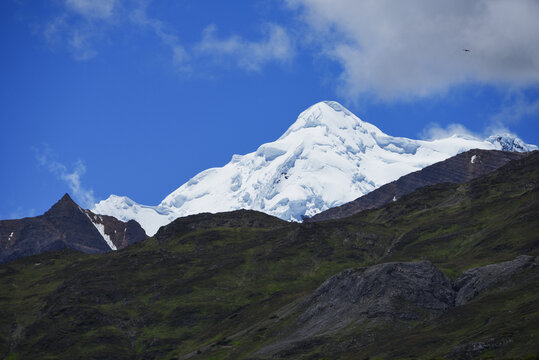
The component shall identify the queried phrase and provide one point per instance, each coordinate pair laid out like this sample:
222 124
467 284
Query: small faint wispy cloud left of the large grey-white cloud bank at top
251 55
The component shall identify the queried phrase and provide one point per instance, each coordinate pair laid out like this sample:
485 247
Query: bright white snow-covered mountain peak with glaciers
326 158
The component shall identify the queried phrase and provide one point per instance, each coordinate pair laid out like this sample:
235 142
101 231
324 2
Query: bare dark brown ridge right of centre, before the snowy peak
458 169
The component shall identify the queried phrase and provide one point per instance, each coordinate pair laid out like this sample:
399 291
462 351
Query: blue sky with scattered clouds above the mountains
134 97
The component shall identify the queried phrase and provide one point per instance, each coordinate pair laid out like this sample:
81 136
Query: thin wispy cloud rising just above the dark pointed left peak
72 177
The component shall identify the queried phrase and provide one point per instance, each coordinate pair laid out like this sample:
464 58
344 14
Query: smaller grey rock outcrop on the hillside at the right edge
473 281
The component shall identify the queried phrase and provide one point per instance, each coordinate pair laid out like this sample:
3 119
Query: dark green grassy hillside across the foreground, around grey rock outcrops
224 286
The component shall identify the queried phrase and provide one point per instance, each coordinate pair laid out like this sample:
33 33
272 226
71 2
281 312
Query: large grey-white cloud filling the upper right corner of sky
405 49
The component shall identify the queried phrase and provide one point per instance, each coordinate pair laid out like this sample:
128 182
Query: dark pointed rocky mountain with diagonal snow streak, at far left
66 225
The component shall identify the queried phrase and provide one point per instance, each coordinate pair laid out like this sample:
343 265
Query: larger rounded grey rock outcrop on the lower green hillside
403 291
